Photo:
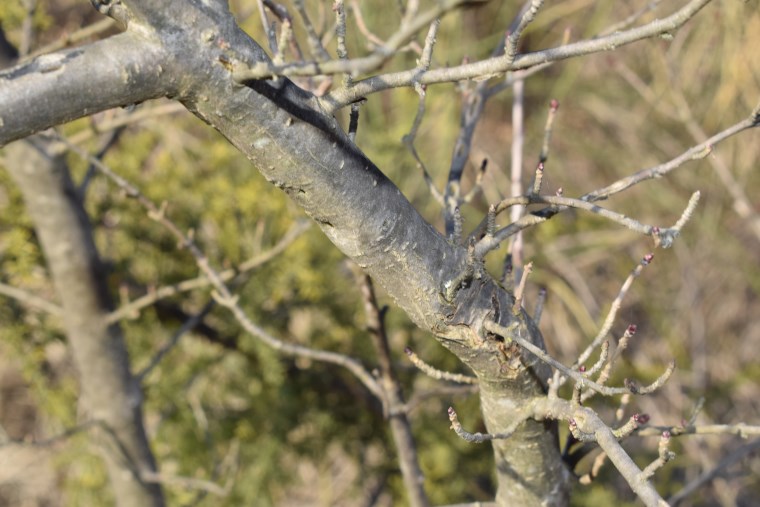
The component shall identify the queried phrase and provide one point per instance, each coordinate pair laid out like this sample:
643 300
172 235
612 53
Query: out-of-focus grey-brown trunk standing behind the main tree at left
109 393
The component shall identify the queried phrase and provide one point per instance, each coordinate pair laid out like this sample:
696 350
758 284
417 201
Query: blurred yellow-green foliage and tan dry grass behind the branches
222 407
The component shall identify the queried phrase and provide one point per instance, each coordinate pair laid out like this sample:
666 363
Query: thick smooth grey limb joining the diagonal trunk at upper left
59 87
